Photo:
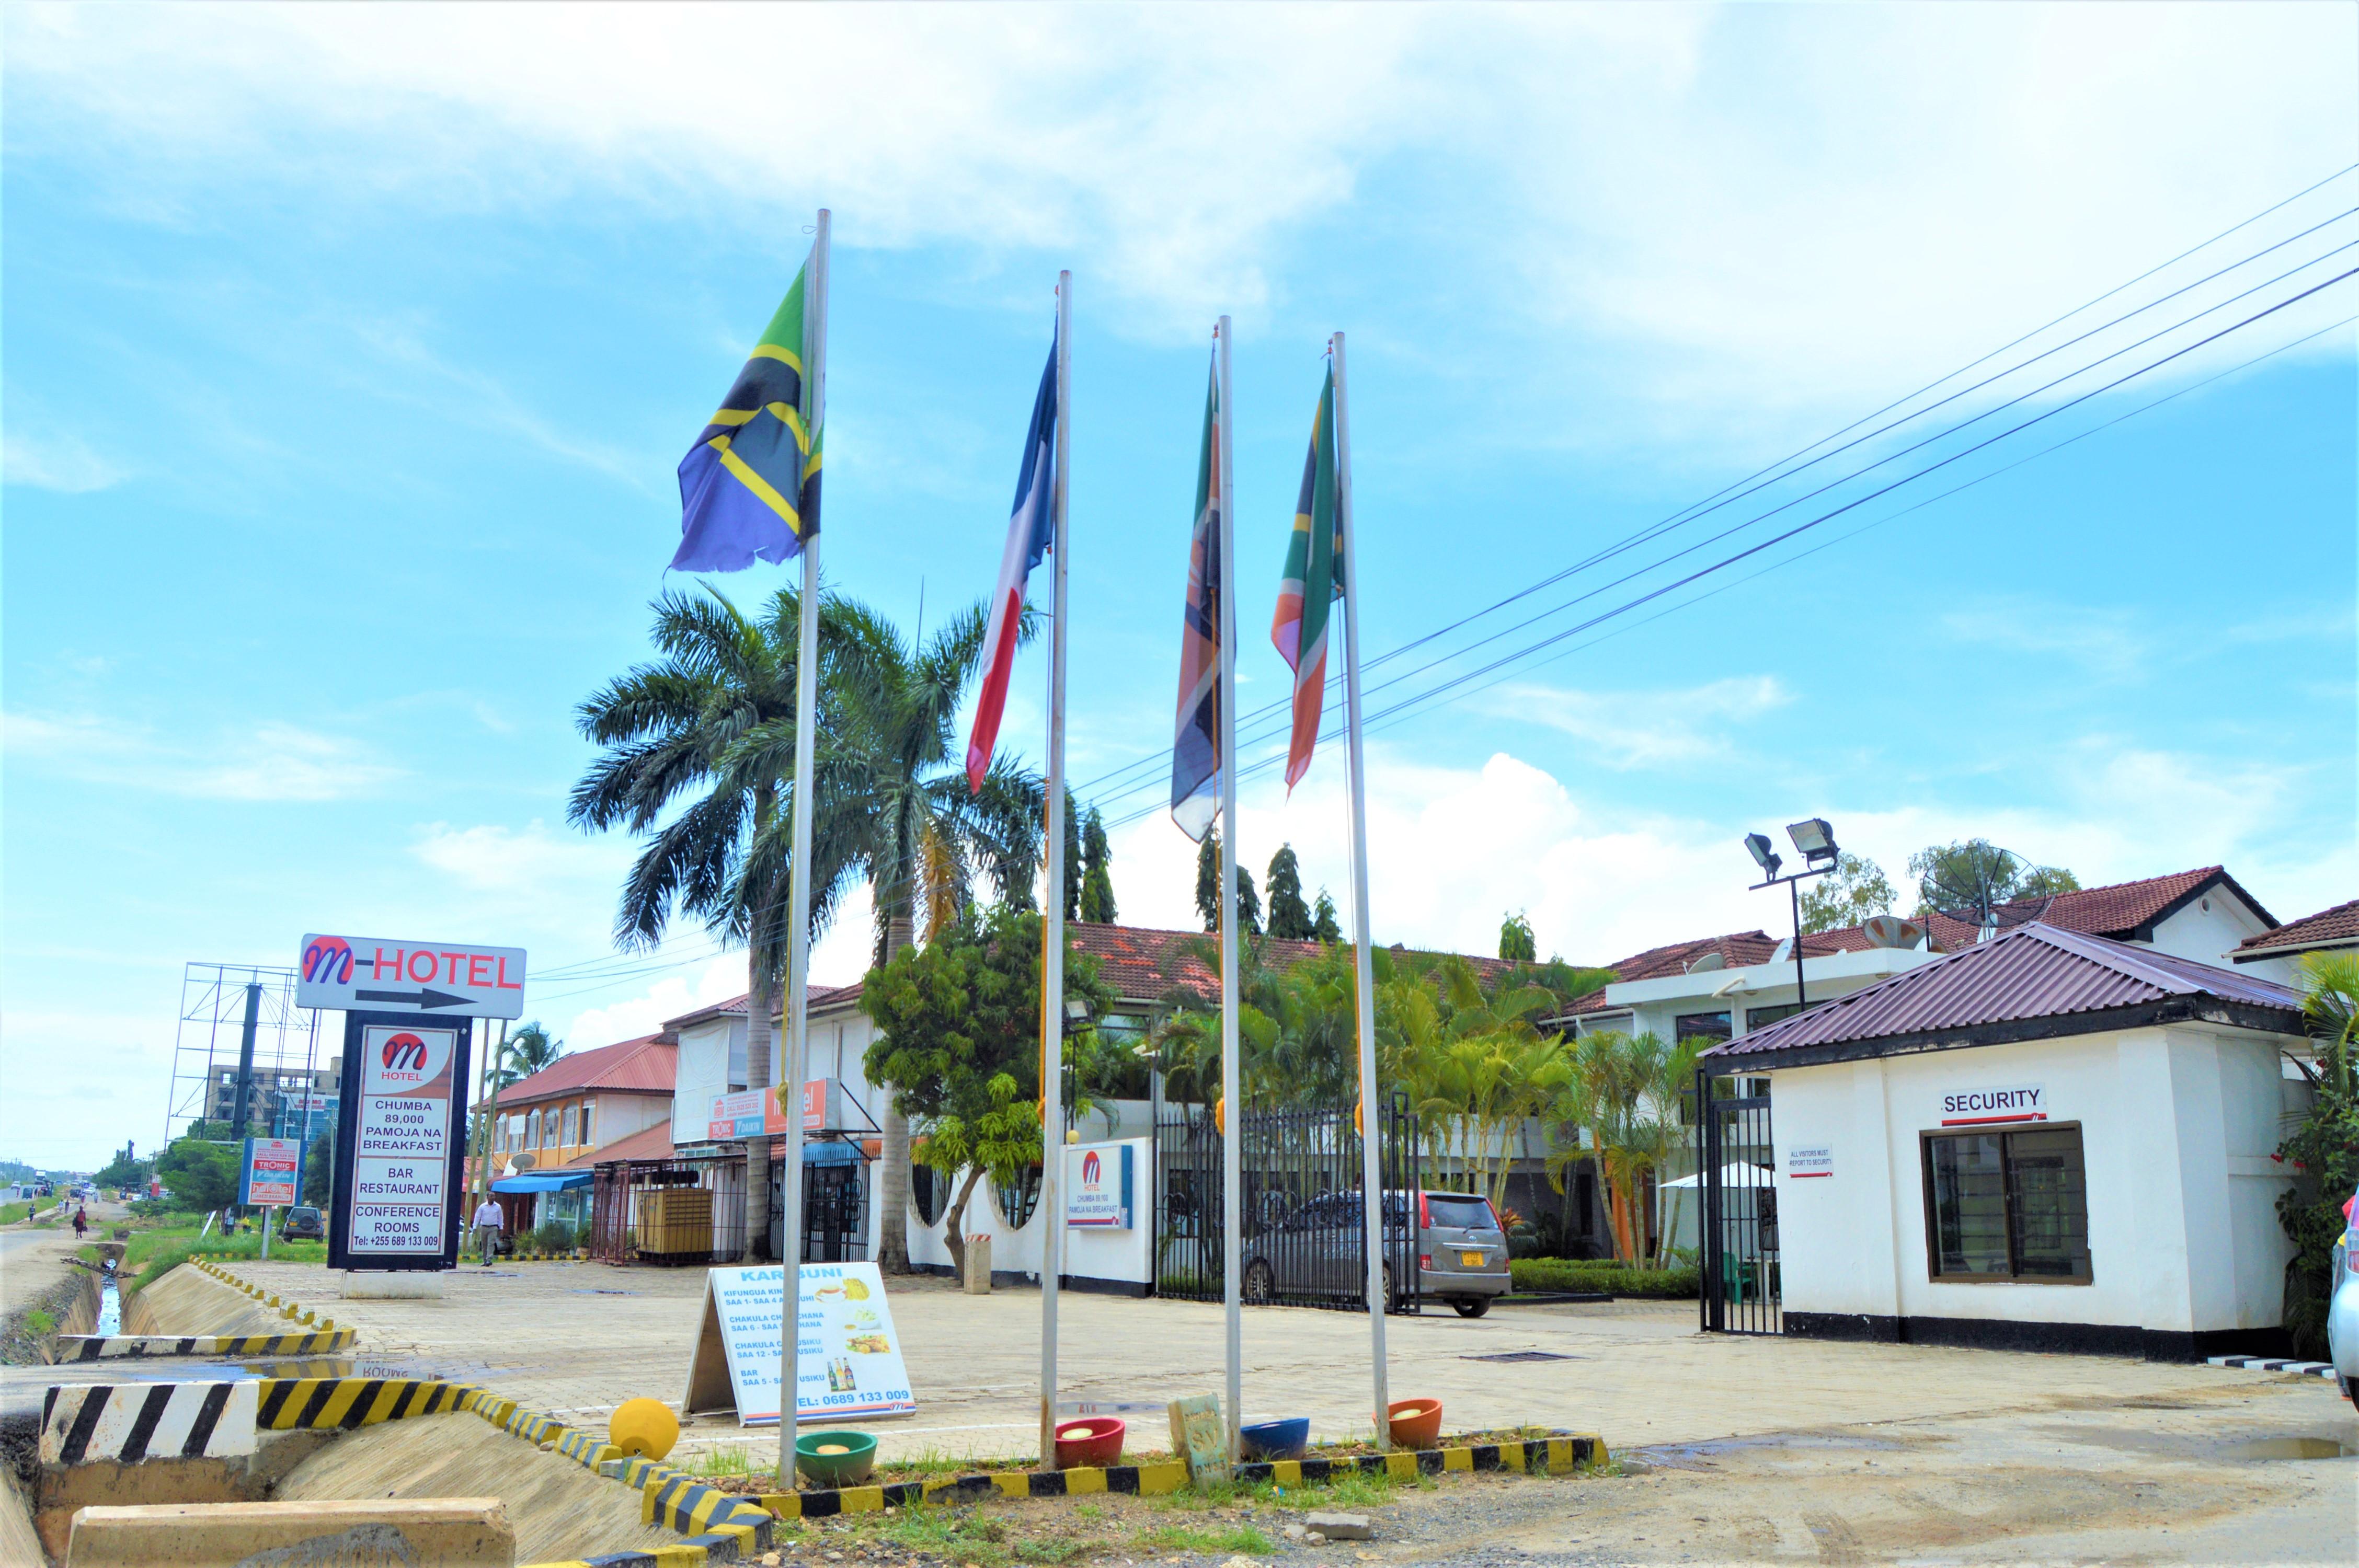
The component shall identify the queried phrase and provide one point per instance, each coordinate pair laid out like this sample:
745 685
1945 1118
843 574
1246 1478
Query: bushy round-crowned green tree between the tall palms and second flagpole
959 1036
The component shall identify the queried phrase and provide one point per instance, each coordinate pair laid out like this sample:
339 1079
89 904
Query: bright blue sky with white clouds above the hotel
350 355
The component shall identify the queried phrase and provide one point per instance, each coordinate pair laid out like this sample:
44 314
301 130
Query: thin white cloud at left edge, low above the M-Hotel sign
270 763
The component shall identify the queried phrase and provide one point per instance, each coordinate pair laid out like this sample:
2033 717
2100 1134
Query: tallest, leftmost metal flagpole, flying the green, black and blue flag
799 900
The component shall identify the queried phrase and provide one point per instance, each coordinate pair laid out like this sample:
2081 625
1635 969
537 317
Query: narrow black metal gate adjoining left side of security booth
1737 1164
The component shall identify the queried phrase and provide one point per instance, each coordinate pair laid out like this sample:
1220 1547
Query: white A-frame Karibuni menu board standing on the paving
848 1359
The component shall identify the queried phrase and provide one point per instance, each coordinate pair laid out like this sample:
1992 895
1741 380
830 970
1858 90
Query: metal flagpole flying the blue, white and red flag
1053 933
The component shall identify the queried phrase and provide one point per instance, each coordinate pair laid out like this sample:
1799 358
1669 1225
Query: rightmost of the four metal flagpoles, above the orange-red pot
1372 1168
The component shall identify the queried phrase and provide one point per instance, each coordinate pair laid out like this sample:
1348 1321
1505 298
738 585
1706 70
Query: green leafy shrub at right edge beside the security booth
2322 1147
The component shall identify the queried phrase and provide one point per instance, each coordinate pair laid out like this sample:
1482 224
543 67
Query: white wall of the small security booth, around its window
2176 1135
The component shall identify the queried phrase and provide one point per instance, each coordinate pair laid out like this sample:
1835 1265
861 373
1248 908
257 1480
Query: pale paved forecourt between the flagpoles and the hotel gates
581 1338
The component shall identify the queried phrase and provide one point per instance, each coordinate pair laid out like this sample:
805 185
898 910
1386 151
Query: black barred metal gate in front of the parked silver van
1306 1223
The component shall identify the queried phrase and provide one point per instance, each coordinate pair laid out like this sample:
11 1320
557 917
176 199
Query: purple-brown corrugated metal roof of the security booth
2023 977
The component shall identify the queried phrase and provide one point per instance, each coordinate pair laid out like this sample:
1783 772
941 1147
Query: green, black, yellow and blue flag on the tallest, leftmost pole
749 489
